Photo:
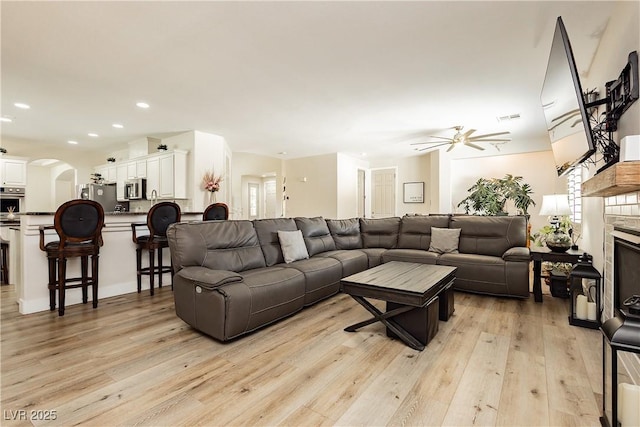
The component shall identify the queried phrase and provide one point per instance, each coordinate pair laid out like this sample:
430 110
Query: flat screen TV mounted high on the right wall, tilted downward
564 106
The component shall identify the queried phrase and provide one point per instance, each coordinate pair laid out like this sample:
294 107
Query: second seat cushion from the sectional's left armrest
322 277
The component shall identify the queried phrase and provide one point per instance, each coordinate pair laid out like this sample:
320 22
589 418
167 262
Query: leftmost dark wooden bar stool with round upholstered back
78 224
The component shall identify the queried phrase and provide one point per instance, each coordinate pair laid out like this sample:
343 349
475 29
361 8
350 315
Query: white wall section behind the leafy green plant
537 169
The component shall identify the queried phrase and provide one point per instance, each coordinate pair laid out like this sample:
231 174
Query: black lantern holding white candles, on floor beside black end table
584 289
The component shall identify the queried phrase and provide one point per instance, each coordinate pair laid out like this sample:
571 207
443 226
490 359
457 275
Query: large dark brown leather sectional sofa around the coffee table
231 278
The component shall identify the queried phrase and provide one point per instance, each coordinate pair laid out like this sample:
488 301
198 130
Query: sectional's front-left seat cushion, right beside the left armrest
274 293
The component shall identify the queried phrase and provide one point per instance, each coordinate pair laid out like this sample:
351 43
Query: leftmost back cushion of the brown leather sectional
218 245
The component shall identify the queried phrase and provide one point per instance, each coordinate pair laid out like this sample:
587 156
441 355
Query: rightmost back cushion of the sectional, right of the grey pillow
490 235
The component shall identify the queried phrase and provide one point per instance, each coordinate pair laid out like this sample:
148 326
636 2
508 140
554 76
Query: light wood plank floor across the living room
133 362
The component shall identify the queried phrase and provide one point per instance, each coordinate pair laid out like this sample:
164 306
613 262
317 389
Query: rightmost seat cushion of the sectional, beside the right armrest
477 273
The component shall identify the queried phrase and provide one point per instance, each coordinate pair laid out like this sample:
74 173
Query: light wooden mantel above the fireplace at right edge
621 178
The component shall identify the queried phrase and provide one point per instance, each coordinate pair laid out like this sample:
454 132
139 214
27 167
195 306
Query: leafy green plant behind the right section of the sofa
490 196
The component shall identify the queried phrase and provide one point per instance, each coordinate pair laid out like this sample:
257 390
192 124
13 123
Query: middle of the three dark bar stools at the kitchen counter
160 216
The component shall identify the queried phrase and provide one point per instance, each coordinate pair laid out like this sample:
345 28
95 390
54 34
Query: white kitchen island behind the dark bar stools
117 263
